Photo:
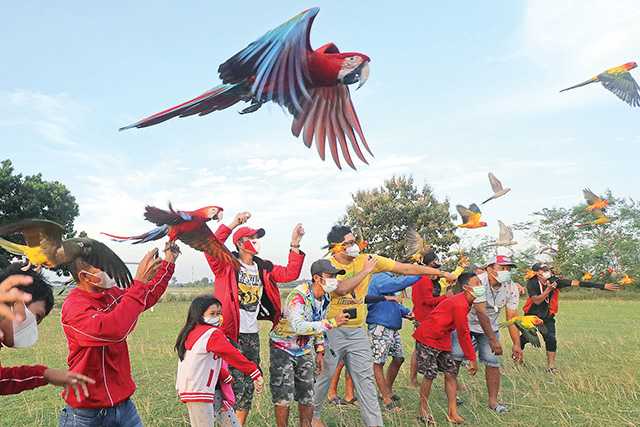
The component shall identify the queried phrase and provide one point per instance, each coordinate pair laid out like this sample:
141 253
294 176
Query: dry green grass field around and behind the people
598 384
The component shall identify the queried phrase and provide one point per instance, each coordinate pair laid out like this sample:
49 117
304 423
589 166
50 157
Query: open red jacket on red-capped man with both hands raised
226 286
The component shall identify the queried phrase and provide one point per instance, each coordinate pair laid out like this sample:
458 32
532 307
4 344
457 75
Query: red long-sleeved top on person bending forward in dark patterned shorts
449 315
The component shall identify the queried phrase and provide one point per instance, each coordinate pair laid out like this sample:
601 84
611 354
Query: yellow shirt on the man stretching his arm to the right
356 298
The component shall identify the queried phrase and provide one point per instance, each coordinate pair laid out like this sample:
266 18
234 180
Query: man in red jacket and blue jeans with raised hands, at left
96 319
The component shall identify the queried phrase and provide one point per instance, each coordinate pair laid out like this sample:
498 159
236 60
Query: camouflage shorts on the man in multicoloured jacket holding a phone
291 377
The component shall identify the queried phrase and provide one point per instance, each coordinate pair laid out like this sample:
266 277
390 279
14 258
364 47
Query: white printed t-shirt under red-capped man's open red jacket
249 294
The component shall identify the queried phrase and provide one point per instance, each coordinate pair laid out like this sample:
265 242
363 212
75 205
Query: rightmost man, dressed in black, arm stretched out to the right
544 292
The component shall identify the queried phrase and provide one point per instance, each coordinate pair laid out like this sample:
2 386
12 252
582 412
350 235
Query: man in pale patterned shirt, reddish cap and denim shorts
500 292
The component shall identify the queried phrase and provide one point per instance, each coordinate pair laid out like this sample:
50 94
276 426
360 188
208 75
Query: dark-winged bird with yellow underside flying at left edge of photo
45 248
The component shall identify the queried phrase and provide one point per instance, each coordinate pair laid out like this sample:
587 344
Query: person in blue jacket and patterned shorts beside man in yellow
384 321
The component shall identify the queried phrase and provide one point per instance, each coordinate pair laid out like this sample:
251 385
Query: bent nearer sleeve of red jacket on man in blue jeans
93 328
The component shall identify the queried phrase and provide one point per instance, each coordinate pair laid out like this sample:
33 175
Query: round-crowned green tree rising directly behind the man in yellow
382 216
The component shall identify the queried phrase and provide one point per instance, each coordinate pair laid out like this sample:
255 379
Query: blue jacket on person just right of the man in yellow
388 313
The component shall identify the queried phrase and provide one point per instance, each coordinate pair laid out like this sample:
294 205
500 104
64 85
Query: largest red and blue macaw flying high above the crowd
282 67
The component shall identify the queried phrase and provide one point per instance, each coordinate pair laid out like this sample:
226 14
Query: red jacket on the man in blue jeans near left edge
96 326
